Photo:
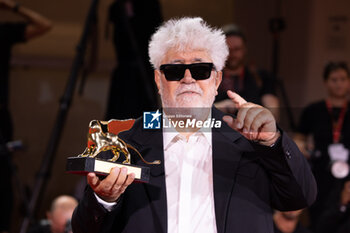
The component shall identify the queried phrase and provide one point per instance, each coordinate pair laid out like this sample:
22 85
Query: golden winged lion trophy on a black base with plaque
103 137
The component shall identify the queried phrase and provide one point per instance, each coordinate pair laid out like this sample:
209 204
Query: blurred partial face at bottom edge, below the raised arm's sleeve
288 222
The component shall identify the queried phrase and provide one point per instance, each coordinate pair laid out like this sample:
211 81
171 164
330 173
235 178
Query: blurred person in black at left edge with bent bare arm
10 34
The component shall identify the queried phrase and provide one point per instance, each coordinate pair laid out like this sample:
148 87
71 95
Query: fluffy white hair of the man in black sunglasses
188 34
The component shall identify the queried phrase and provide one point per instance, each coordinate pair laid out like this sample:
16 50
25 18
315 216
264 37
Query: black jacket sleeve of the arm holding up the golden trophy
91 217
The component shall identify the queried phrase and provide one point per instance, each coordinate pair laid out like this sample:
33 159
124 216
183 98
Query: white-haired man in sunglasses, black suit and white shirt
225 178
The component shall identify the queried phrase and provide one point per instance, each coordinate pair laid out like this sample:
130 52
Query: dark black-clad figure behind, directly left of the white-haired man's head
132 90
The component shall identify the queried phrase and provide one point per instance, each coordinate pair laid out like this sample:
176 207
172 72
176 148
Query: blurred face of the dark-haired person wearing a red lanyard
338 83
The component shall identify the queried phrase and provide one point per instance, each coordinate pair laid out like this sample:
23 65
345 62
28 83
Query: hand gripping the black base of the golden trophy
113 185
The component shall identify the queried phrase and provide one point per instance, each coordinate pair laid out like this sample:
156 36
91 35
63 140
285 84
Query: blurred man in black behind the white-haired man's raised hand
254 85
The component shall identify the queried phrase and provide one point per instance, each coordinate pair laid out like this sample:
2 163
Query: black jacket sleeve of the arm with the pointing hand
292 183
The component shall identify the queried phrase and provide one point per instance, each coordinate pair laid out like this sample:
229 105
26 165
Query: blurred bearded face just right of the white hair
237 52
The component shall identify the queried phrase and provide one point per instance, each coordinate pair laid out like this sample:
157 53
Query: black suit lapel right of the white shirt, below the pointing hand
226 157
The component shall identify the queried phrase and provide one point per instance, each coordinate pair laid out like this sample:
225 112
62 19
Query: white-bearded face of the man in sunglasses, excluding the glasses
187 92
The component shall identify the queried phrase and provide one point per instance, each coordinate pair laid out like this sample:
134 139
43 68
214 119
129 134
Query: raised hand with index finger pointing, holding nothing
253 121
